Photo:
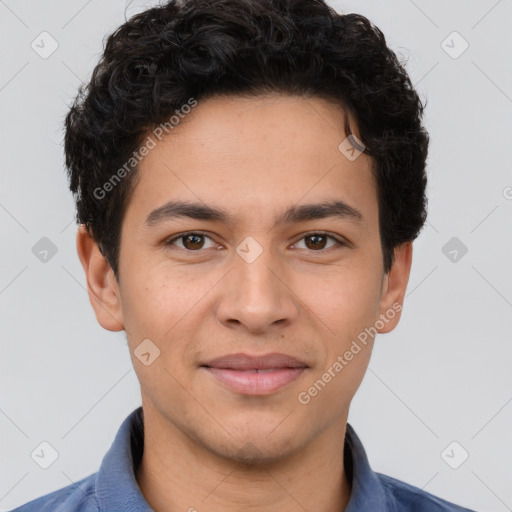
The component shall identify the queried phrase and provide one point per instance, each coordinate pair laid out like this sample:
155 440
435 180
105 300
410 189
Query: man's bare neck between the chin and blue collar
177 473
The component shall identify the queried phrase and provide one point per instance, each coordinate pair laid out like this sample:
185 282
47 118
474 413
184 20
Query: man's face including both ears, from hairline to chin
261 273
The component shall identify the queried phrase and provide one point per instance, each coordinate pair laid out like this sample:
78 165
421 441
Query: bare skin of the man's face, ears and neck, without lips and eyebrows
207 447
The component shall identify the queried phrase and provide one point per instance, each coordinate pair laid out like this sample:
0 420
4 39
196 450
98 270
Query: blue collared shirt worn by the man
114 487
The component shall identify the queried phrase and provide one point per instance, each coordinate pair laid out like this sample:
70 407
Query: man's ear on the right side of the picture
394 286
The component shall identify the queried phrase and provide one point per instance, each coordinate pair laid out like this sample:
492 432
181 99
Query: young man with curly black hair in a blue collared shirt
249 178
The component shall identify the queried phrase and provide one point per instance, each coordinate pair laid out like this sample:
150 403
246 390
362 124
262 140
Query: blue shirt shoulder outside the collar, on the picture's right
410 498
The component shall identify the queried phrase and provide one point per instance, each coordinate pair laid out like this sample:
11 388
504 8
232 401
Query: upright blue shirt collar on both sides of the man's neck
117 488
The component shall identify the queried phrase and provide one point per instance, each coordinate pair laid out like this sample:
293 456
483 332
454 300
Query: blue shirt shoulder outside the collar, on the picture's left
77 497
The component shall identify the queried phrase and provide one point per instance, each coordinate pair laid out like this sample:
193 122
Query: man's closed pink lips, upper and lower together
255 375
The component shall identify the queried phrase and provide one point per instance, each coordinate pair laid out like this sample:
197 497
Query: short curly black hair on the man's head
157 60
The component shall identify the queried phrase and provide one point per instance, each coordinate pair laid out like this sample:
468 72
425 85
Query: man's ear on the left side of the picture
102 285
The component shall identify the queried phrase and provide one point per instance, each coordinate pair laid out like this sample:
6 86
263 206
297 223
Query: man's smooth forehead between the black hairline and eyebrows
251 155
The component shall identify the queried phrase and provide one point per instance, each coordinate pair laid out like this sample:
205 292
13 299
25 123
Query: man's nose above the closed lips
257 296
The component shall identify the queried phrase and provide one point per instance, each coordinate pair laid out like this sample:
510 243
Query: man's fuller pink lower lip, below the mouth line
256 383
